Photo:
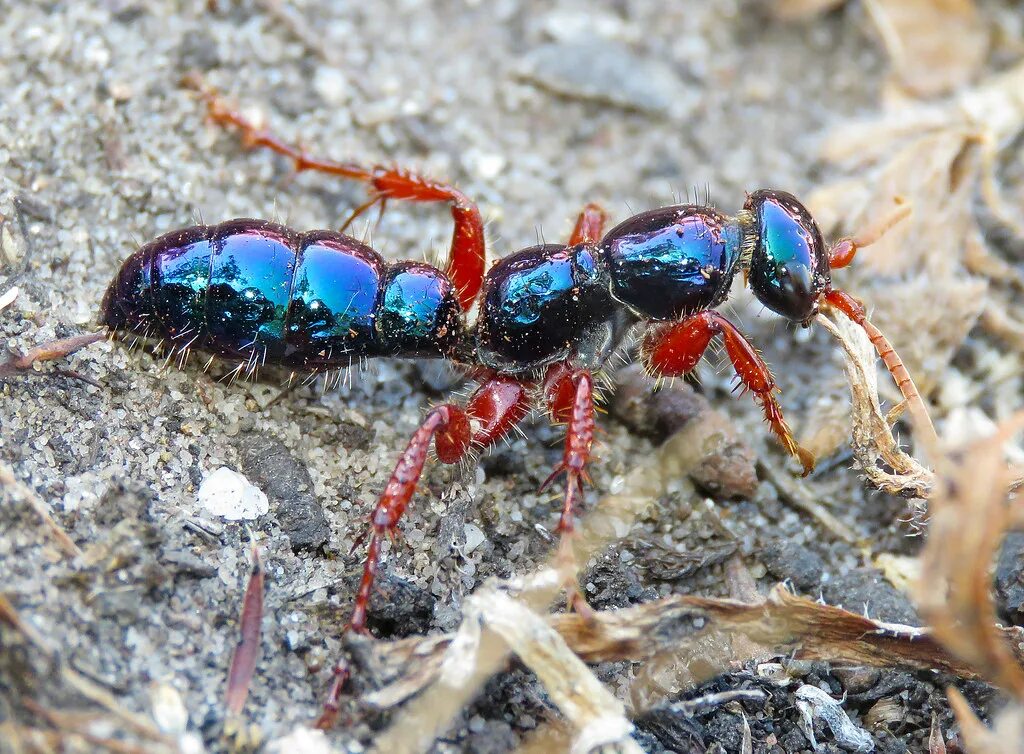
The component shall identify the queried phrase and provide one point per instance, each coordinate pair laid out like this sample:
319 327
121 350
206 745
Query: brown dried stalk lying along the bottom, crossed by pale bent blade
671 633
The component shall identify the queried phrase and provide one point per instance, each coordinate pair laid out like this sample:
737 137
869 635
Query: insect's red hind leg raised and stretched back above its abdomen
467 257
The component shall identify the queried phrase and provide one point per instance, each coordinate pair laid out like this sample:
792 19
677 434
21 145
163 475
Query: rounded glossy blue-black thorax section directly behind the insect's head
672 262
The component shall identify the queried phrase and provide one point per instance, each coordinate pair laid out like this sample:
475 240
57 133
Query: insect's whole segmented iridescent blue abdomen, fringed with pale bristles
259 291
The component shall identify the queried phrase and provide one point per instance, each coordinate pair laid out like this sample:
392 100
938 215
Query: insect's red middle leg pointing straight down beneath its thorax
570 396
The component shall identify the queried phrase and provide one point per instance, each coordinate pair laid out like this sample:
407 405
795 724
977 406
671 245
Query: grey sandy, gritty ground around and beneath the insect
535 109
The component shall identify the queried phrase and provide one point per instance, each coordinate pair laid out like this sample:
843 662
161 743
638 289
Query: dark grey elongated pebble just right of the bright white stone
289 488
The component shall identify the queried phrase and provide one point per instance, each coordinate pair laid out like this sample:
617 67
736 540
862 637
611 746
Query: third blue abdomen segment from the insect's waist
250 286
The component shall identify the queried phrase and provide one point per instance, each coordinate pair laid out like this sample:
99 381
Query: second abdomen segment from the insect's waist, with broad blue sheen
334 296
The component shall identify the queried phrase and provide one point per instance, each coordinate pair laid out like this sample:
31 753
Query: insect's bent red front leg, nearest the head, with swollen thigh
674 350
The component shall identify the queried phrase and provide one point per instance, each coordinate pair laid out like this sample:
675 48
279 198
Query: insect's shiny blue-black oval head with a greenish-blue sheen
789 264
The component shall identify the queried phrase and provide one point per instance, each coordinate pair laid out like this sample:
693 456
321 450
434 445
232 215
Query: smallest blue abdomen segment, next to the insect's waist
418 314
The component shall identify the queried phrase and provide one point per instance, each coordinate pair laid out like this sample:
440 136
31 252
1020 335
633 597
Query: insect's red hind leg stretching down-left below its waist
491 413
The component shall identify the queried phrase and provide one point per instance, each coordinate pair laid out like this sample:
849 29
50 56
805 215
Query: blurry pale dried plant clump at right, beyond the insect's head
936 158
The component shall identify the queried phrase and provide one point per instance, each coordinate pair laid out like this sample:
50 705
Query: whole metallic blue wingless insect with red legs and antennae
547 318
